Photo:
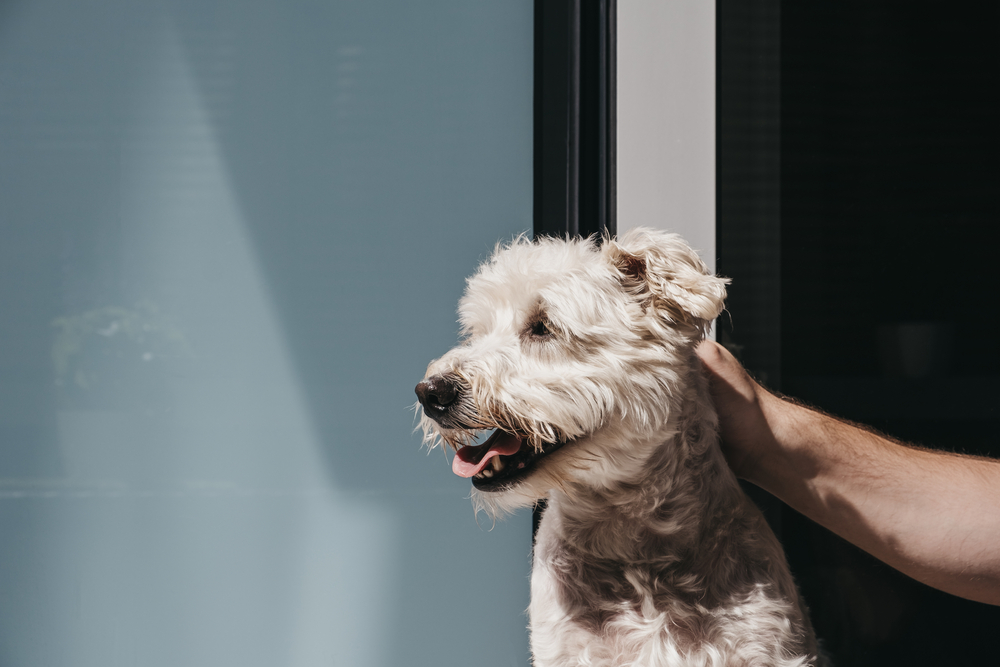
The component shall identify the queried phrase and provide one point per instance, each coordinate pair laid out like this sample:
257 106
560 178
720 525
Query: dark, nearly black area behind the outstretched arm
858 200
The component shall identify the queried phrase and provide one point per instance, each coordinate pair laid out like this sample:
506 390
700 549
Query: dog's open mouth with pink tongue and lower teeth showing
500 462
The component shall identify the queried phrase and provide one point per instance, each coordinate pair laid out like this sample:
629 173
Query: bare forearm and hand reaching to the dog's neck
932 515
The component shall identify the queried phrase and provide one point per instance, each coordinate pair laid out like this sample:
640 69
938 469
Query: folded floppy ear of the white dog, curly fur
663 272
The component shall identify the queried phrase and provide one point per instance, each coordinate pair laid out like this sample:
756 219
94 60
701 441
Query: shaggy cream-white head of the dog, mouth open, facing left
575 355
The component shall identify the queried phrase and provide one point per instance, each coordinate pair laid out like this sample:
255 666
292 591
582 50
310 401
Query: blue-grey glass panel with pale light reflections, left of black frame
232 235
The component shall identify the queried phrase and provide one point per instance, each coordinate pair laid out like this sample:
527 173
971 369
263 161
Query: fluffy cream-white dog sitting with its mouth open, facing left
579 355
